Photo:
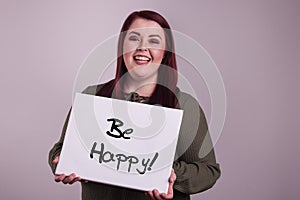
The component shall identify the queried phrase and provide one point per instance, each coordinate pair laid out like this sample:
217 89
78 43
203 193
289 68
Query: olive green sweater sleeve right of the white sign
196 168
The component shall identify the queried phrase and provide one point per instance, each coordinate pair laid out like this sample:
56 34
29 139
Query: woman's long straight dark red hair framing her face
163 93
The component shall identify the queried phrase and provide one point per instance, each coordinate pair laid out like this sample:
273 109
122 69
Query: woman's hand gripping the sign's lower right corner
154 194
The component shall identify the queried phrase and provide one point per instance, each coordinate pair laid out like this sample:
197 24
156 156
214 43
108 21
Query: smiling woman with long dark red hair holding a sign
147 73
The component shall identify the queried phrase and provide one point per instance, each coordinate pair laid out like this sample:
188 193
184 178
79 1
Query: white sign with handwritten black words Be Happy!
120 143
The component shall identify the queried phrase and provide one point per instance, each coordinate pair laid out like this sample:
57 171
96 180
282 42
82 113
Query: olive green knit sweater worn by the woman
195 171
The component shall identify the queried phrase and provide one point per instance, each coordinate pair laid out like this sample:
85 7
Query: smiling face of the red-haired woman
143 49
